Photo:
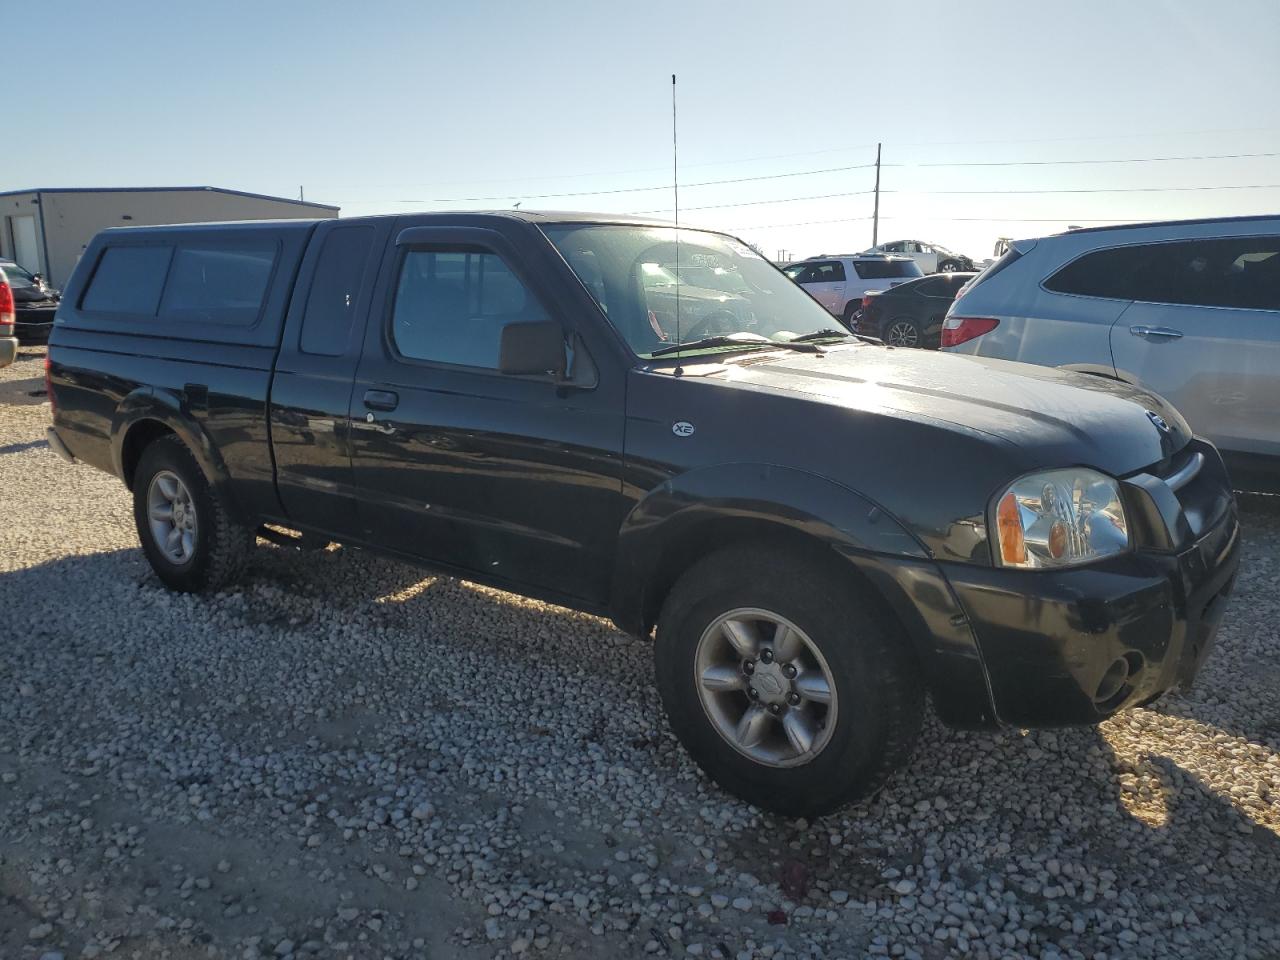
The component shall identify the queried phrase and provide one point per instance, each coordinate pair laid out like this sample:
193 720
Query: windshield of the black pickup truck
726 289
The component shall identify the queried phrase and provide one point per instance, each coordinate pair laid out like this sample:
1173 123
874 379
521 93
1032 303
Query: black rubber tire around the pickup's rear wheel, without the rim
222 547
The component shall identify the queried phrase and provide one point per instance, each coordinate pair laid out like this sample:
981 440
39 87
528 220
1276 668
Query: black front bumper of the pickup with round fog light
1078 646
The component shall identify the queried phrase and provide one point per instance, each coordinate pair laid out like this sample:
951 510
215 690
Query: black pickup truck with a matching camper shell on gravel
825 531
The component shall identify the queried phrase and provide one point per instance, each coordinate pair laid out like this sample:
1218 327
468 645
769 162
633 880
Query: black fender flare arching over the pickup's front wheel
787 499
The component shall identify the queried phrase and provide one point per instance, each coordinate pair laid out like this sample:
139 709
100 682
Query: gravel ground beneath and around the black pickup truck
349 758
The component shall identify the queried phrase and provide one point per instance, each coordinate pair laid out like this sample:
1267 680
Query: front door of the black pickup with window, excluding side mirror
516 479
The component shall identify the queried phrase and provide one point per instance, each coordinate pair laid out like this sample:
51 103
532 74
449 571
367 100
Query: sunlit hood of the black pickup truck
1055 419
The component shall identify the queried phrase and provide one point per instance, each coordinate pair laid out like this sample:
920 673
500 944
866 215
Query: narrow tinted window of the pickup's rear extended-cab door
335 290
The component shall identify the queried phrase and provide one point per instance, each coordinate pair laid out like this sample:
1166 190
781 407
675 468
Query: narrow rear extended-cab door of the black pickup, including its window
314 373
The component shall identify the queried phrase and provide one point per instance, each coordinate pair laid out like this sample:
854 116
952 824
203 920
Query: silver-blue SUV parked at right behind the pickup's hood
1190 310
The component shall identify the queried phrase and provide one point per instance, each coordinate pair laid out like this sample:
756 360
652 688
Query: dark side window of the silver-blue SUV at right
1219 273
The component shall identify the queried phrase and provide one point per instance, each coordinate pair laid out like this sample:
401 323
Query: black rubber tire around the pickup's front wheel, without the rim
881 700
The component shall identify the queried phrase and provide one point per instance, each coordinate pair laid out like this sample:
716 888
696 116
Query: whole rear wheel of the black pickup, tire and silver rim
186 528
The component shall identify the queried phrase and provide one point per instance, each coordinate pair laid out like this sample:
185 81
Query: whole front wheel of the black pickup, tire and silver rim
784 682
